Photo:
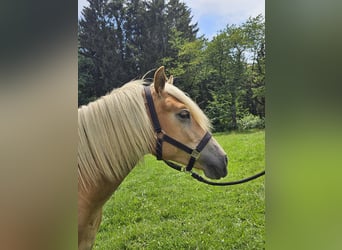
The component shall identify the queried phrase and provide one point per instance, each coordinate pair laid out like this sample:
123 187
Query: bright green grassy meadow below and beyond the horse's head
157 207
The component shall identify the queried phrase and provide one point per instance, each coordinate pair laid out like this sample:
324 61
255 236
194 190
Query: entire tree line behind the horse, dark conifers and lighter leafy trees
121 40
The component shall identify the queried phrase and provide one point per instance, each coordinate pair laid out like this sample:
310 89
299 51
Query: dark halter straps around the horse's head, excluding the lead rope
162 136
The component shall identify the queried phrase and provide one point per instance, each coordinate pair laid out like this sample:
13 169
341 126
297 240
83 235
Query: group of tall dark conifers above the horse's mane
123 39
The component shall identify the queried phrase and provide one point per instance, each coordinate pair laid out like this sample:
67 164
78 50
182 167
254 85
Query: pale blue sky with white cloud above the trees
214 15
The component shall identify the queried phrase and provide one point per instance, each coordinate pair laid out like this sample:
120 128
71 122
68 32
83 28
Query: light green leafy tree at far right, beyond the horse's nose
236 72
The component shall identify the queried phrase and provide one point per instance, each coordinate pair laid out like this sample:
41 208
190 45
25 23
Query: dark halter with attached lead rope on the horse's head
194 153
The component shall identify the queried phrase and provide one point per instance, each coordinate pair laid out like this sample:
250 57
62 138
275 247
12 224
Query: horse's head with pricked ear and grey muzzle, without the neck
185 123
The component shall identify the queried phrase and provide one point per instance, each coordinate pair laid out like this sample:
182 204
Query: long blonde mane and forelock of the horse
115 131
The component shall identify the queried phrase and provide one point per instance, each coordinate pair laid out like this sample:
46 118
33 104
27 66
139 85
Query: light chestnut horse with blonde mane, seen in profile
118 129
